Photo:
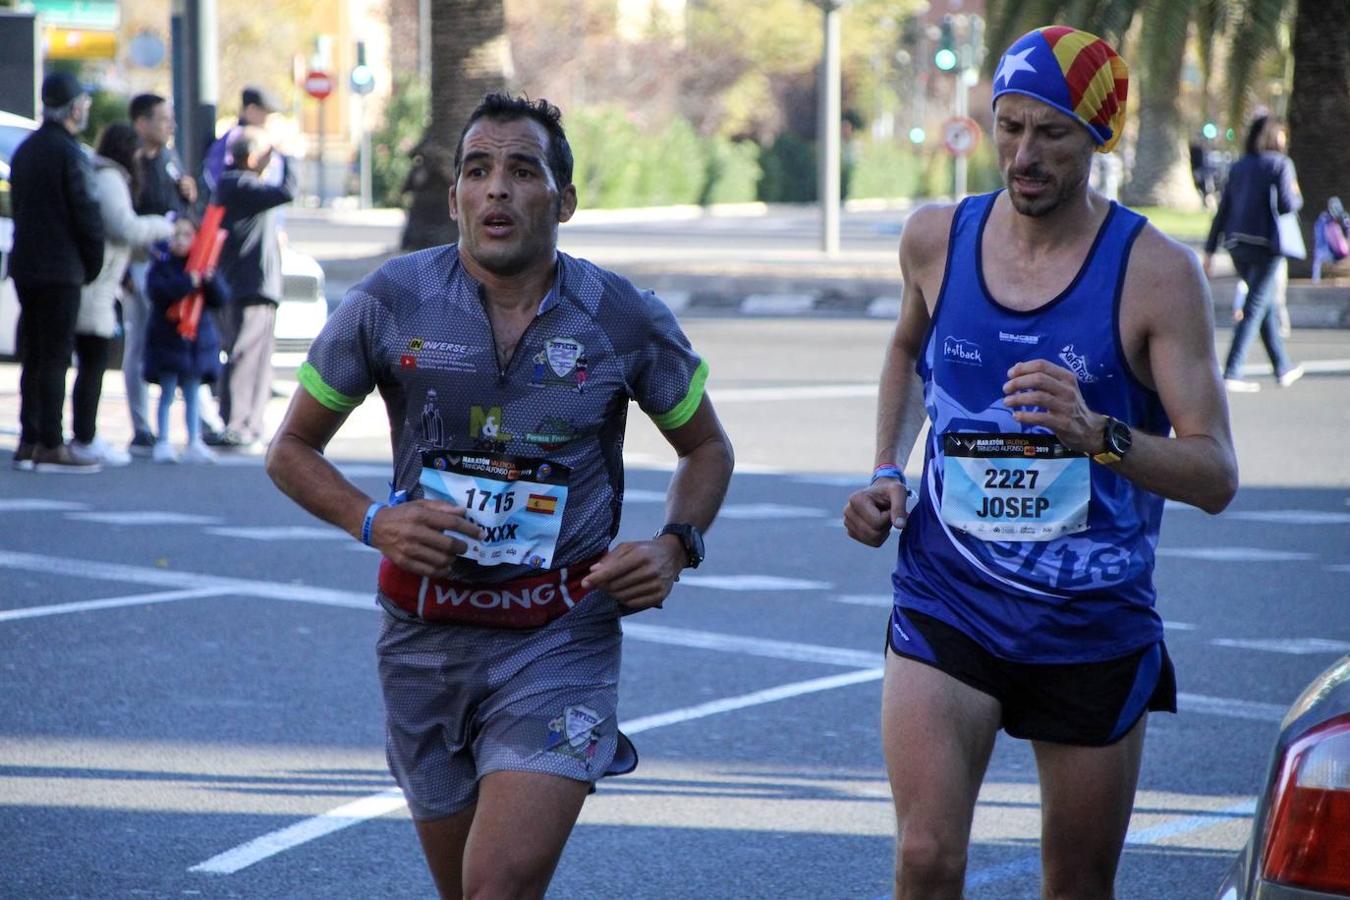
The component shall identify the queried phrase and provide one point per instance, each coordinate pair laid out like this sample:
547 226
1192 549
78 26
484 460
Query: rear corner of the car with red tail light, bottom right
1299 848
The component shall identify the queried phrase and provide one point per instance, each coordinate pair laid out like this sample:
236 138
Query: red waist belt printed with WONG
520 604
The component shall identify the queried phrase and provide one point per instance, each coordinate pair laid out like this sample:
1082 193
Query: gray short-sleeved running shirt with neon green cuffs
418 331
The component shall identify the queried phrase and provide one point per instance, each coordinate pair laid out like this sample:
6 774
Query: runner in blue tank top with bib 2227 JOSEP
1066 351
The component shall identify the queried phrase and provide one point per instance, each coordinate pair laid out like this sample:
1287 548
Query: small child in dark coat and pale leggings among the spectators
172 361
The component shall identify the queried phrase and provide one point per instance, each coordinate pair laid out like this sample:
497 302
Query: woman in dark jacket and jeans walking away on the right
1260 187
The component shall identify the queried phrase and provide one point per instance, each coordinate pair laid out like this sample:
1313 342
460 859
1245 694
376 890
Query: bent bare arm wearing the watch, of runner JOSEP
1167 327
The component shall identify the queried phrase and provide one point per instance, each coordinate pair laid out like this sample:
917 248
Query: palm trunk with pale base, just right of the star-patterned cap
1162 171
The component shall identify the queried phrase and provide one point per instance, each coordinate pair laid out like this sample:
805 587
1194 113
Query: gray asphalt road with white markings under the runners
188 702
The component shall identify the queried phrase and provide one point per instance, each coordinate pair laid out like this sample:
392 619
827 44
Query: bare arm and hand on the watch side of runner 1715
641 574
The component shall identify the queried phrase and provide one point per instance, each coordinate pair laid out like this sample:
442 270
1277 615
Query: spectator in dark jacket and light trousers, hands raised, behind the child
252 266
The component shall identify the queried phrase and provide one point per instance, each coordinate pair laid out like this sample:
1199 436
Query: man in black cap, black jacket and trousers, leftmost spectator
57 249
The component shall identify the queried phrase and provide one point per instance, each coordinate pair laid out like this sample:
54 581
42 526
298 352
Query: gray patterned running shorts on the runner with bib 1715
465 701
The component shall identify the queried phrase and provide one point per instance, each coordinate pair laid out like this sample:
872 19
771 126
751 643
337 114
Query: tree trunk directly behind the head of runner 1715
469 59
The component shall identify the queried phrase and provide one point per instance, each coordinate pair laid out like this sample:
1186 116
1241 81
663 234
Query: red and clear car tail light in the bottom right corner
1309 835
